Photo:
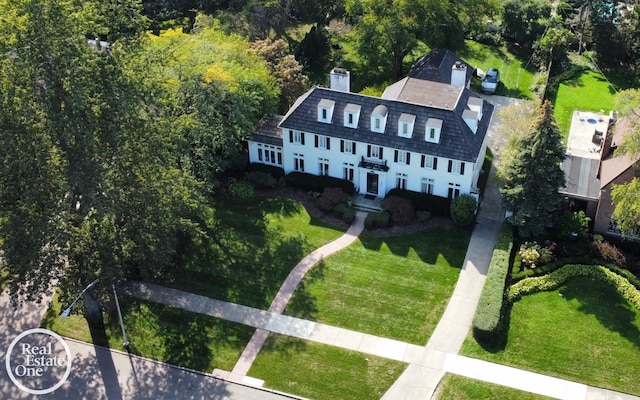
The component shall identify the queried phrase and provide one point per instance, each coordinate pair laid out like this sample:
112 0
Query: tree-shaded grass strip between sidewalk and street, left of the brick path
161 333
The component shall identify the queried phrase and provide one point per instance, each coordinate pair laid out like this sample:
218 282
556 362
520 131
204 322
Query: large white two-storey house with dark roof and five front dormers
422 135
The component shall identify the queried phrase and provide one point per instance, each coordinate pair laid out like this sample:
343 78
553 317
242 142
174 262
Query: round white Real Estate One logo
38 361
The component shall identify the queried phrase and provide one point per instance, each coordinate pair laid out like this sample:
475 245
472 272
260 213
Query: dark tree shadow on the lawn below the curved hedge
606 304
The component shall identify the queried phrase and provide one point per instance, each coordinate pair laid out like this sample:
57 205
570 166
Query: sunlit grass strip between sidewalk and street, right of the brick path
323 372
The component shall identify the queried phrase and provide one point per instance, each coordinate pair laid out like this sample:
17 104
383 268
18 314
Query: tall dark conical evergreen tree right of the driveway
533 176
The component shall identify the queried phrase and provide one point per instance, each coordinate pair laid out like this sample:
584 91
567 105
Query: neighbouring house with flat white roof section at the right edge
592 167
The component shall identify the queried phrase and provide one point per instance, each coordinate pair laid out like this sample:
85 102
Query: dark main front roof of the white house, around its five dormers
457 141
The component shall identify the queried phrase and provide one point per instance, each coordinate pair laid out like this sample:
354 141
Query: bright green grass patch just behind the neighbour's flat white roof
588 91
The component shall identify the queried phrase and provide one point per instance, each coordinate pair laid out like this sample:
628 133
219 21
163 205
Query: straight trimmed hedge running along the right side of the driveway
488 320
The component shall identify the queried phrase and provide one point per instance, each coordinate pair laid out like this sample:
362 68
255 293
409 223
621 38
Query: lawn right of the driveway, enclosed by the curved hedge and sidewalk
584 331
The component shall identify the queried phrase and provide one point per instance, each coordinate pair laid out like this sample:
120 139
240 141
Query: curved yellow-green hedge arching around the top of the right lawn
560 276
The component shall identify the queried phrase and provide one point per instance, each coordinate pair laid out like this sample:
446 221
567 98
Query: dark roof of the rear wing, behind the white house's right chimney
436 66
